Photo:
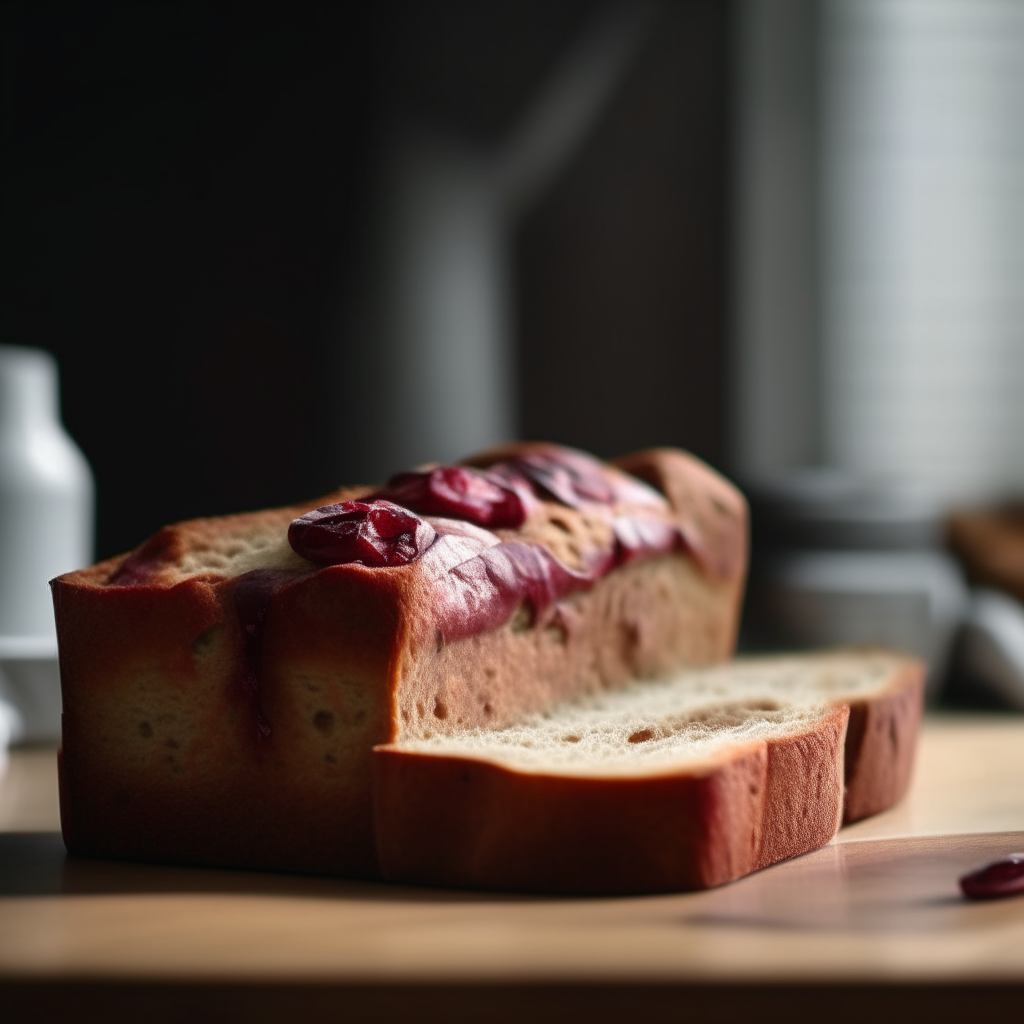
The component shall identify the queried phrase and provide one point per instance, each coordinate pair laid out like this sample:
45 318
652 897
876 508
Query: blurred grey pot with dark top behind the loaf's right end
840 560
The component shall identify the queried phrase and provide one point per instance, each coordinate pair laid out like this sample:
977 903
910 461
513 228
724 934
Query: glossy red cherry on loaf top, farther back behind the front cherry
457 492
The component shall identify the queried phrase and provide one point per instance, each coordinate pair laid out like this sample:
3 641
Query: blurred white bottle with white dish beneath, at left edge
47 524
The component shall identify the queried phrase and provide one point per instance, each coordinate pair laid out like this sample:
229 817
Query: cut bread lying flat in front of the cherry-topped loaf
661 787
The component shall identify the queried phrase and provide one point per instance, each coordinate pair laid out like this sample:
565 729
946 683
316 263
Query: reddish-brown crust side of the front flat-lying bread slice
468 823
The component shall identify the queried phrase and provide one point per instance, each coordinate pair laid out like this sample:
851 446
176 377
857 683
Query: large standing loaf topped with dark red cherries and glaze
225 685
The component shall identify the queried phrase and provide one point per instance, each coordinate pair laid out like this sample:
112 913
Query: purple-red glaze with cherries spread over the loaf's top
480 581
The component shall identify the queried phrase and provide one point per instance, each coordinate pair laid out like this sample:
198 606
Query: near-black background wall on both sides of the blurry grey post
183 188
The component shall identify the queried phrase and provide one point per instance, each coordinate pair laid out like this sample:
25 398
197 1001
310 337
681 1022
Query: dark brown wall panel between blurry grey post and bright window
622 268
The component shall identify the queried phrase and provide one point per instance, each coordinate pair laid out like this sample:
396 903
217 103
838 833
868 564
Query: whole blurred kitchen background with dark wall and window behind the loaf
279 247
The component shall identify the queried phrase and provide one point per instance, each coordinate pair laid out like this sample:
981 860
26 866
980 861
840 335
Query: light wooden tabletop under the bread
873 924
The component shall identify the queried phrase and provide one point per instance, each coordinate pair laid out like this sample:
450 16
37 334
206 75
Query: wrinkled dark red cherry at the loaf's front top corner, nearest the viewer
375 533
